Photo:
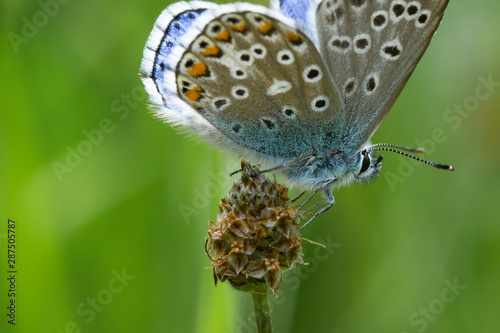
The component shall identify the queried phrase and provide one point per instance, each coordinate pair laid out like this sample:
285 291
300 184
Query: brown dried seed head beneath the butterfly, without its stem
255 238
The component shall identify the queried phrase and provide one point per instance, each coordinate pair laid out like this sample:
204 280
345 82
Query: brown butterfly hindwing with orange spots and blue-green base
258 81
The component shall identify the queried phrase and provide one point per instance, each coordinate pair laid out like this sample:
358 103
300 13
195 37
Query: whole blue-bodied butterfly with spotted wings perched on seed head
300 87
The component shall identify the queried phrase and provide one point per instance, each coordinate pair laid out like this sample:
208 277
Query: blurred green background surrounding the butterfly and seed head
136 204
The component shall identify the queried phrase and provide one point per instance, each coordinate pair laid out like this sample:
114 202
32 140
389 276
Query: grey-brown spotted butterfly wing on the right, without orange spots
371 48
